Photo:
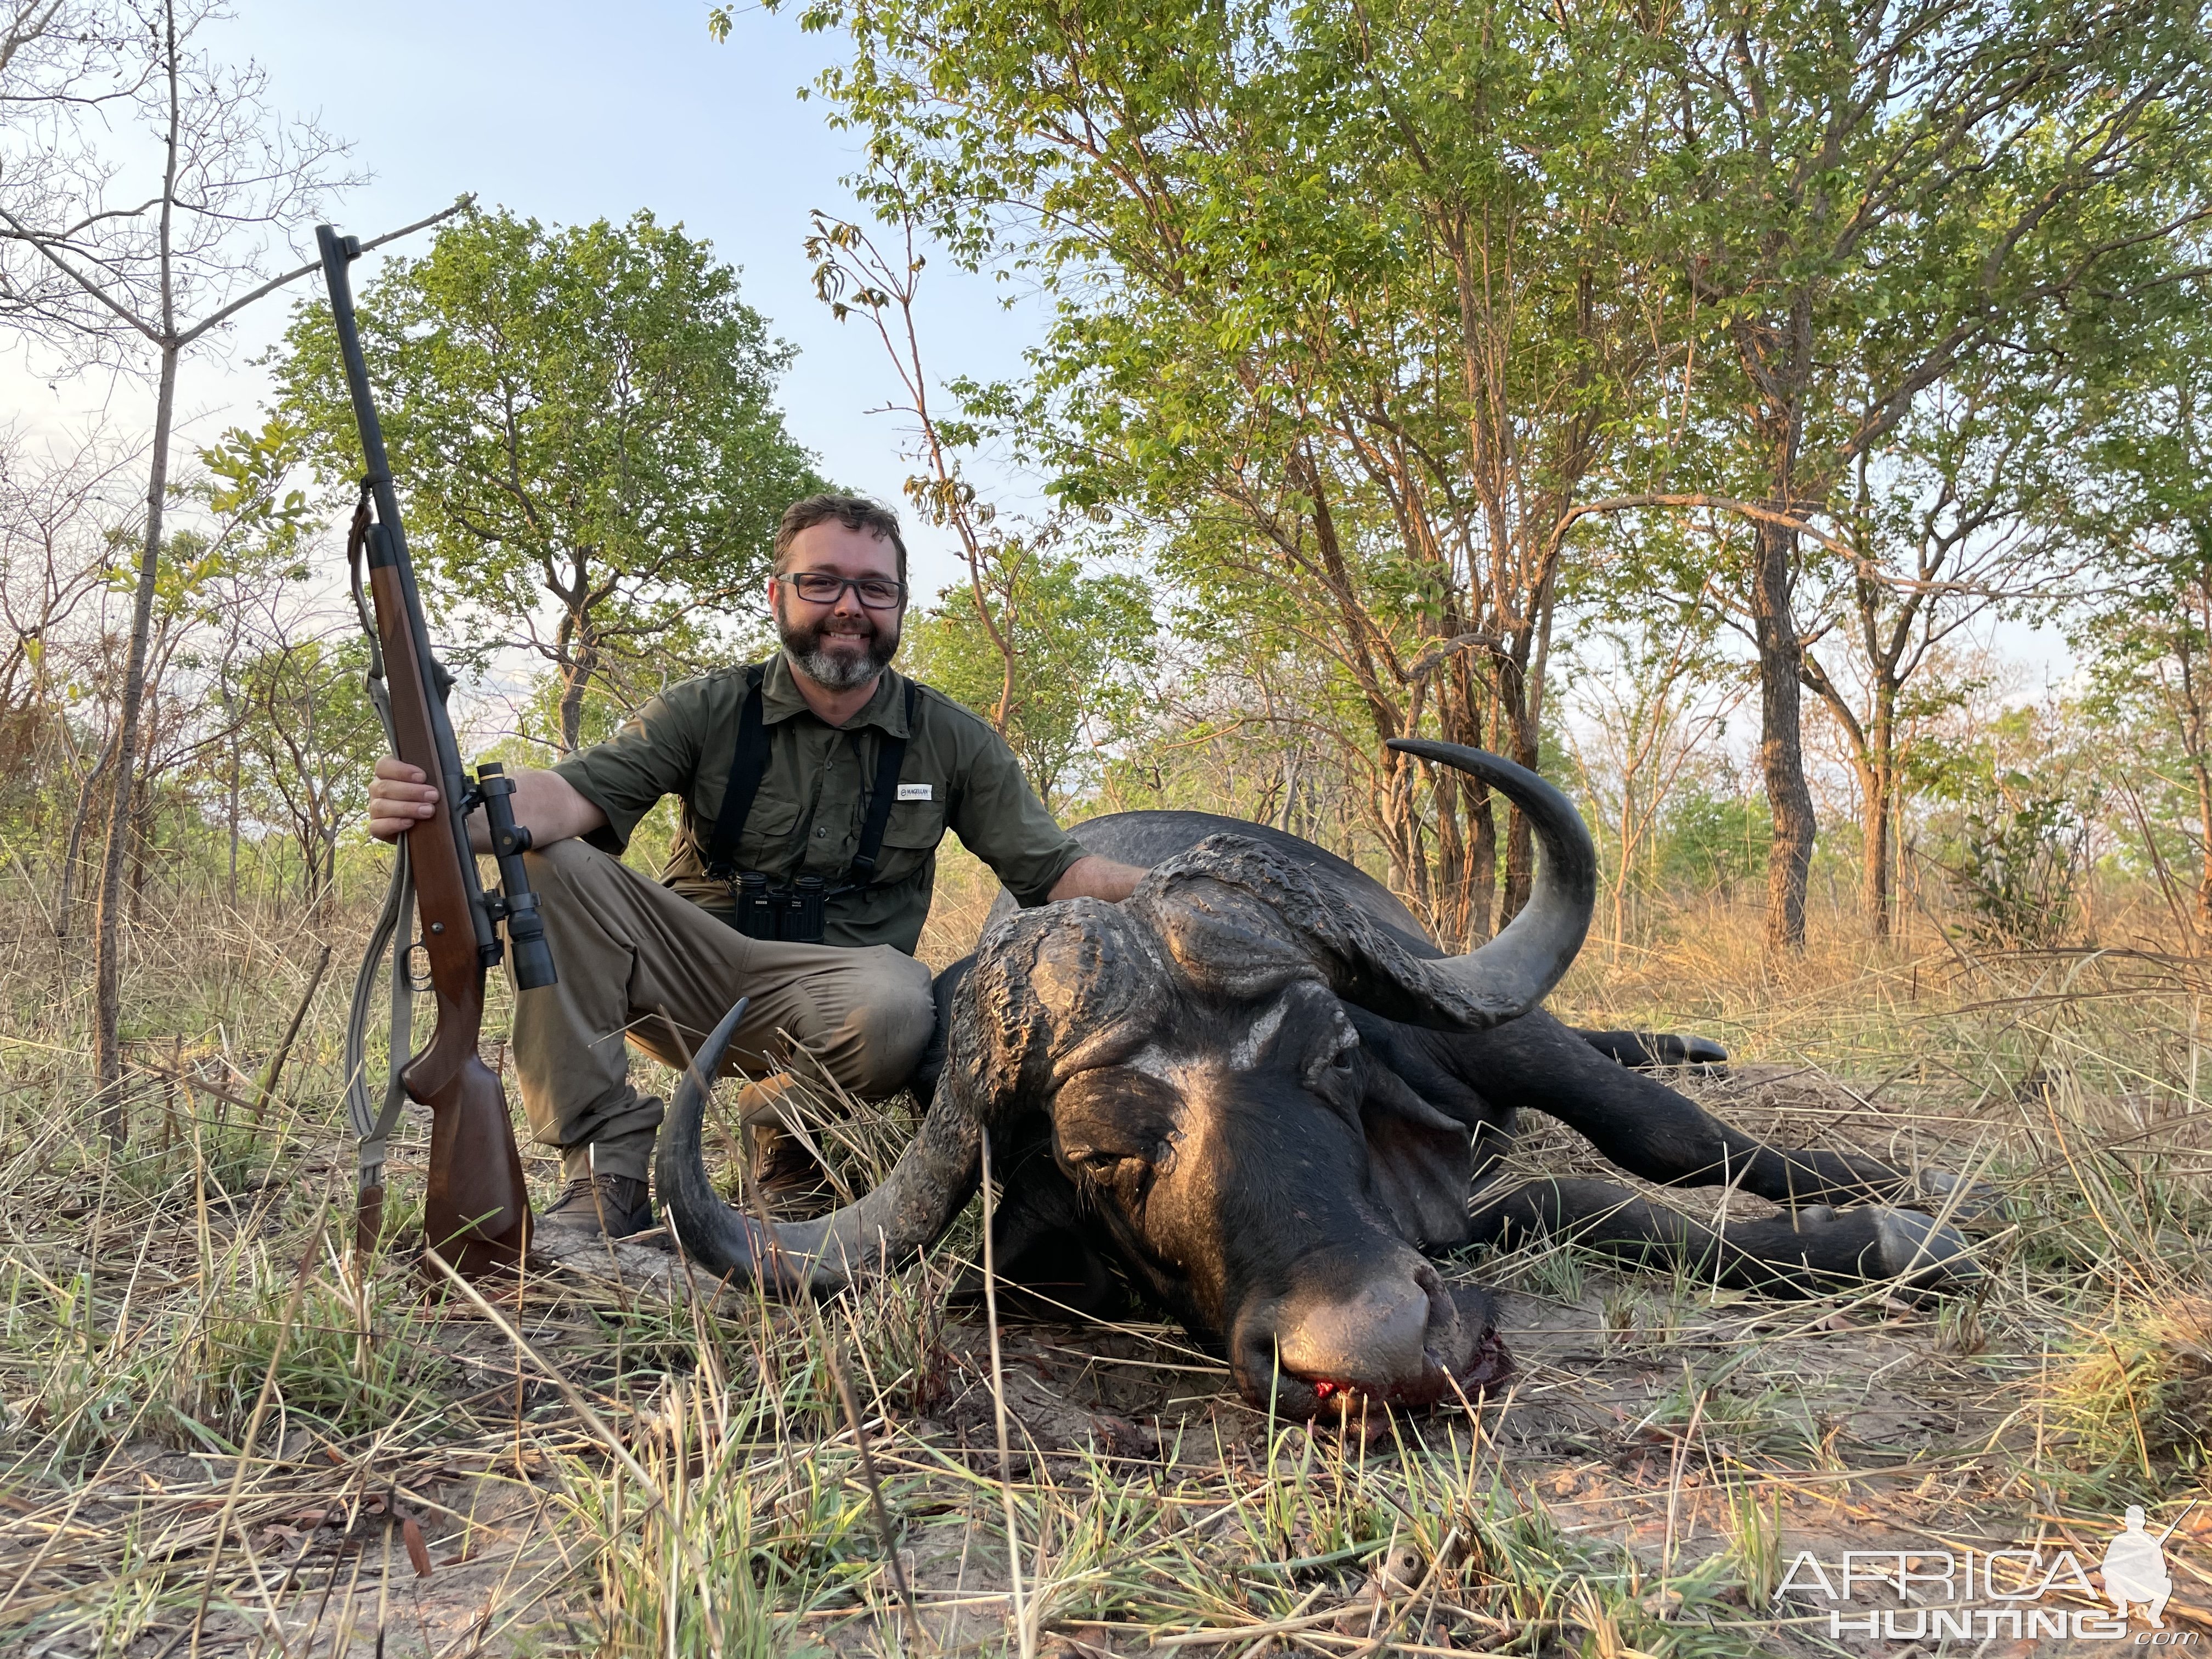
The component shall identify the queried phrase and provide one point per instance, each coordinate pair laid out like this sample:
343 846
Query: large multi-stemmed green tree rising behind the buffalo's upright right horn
1350 309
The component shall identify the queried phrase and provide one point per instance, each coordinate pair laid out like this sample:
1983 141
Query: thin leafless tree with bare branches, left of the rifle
147 187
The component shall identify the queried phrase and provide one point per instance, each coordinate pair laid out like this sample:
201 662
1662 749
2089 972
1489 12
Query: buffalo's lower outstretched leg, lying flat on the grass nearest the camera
1799 1255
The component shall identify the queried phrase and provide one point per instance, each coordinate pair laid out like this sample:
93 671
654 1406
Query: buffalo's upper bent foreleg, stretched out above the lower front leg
1647 1129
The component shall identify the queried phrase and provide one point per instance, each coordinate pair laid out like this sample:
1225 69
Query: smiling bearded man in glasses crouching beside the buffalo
815 791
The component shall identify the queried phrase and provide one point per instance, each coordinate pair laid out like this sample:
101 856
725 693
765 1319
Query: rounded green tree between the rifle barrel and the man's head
585 430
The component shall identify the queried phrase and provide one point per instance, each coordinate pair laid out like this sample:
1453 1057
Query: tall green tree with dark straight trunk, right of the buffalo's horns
1877 198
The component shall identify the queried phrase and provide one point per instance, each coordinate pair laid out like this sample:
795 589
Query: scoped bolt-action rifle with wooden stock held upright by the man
477 1211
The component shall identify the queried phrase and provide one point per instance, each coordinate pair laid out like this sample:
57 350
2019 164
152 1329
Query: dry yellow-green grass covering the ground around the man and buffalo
218 1441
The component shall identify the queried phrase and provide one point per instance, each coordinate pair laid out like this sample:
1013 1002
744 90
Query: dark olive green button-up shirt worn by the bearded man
806 817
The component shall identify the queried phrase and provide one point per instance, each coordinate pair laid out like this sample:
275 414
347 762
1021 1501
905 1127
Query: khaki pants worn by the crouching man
627 950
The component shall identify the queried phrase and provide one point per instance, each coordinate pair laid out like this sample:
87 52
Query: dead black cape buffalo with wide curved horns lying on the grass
1258 1096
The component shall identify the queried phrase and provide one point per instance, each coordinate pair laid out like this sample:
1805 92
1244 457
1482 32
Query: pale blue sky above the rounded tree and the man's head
576 112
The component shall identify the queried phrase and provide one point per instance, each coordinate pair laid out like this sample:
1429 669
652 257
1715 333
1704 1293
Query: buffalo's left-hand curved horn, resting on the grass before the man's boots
915 1204
